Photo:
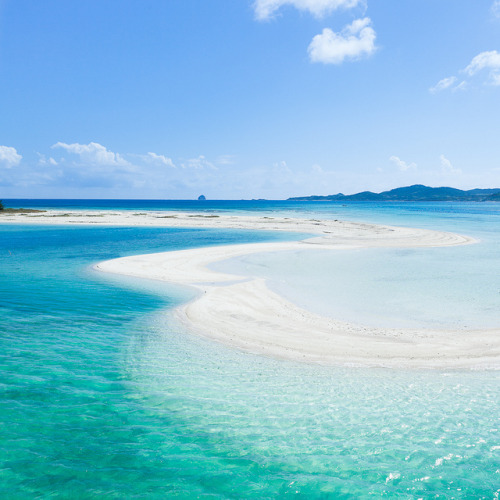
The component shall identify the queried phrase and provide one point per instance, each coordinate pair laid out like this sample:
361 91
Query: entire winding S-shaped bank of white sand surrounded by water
243 313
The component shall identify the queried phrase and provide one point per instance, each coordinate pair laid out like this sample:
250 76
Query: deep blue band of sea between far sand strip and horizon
439 215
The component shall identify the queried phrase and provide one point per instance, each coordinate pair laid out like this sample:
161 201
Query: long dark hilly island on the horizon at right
417 192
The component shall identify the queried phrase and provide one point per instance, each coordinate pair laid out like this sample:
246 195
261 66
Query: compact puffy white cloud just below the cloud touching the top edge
355 40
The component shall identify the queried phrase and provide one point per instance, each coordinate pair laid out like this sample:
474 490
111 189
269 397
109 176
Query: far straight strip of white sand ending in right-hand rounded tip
338 232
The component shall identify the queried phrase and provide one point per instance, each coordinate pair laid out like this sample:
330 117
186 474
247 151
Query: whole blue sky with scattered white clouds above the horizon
242 99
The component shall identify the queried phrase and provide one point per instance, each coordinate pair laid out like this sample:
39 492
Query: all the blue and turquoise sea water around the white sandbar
105 395
